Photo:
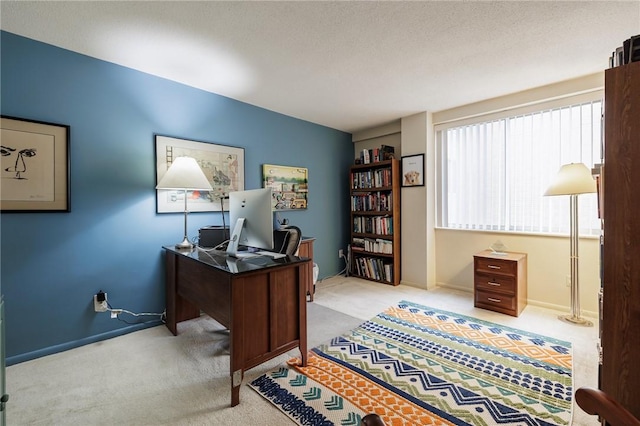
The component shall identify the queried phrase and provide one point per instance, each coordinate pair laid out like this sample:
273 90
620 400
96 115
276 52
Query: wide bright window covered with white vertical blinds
493 174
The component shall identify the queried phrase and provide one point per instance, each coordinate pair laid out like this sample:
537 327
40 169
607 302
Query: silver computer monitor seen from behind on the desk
251 220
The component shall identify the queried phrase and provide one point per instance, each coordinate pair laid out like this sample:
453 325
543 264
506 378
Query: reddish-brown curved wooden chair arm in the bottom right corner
595 402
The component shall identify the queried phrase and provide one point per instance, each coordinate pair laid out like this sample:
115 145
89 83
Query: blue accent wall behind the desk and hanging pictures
53 263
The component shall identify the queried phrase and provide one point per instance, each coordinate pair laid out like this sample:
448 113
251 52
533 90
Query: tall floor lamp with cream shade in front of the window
573 179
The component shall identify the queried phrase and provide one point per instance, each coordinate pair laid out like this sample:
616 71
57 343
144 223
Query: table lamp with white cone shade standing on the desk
184 174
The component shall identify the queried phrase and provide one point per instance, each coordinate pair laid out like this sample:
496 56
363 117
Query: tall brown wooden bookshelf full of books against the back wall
375 221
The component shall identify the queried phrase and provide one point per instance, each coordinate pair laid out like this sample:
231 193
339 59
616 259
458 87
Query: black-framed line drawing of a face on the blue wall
34 160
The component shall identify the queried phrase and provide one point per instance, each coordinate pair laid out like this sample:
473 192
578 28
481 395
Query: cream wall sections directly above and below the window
547 256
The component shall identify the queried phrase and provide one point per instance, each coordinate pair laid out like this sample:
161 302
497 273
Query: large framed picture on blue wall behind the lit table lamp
223 165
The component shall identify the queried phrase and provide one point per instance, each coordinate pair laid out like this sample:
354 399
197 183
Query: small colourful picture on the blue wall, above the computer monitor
289 186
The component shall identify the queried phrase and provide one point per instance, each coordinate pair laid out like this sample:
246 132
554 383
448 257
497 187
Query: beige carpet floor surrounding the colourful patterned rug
153 378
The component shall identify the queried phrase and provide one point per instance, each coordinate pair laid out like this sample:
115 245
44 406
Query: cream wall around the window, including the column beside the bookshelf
445 257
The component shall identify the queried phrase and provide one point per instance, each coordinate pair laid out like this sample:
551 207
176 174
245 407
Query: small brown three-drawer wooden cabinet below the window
500 282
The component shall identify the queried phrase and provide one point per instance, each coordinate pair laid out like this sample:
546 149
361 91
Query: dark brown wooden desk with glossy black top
261 301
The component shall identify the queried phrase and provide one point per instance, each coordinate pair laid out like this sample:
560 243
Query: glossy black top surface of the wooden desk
218 259
